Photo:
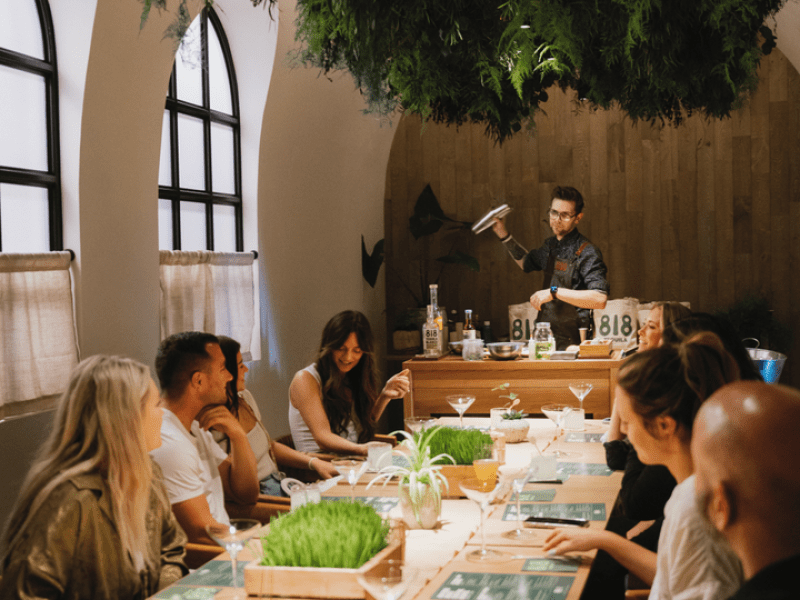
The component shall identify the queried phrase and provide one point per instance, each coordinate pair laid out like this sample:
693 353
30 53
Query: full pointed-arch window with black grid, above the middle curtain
200 184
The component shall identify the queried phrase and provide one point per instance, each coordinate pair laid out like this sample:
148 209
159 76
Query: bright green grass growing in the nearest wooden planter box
340 535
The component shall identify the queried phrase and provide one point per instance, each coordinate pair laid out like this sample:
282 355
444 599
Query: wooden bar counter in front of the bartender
536 382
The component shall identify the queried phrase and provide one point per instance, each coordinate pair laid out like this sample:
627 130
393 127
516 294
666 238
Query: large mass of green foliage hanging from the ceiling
457 61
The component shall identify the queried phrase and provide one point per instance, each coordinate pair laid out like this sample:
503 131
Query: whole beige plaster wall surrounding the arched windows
313 177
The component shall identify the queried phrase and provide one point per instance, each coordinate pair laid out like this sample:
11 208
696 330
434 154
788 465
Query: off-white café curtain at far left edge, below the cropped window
38 345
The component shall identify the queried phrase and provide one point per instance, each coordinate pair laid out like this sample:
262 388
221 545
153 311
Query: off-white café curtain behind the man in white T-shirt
211 292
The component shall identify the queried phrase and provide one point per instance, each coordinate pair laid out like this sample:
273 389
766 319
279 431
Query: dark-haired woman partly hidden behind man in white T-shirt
269 455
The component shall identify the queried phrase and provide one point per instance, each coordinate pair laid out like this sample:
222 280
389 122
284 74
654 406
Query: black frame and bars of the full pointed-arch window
174 193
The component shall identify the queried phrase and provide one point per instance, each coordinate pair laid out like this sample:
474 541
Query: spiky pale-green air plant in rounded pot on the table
421 480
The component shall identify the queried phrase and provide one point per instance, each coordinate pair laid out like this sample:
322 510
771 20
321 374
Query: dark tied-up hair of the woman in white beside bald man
673 380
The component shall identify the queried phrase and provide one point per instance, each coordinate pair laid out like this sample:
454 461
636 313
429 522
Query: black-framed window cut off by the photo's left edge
30 172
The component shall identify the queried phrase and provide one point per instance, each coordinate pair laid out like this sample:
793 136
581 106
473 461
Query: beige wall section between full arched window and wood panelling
321 187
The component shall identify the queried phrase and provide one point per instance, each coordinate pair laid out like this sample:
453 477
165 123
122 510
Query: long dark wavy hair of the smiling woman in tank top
361 380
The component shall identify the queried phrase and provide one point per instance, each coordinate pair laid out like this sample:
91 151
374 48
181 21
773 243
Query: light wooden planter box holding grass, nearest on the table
309 582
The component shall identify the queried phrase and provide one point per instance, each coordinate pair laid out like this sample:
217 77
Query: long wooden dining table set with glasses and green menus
438 556
